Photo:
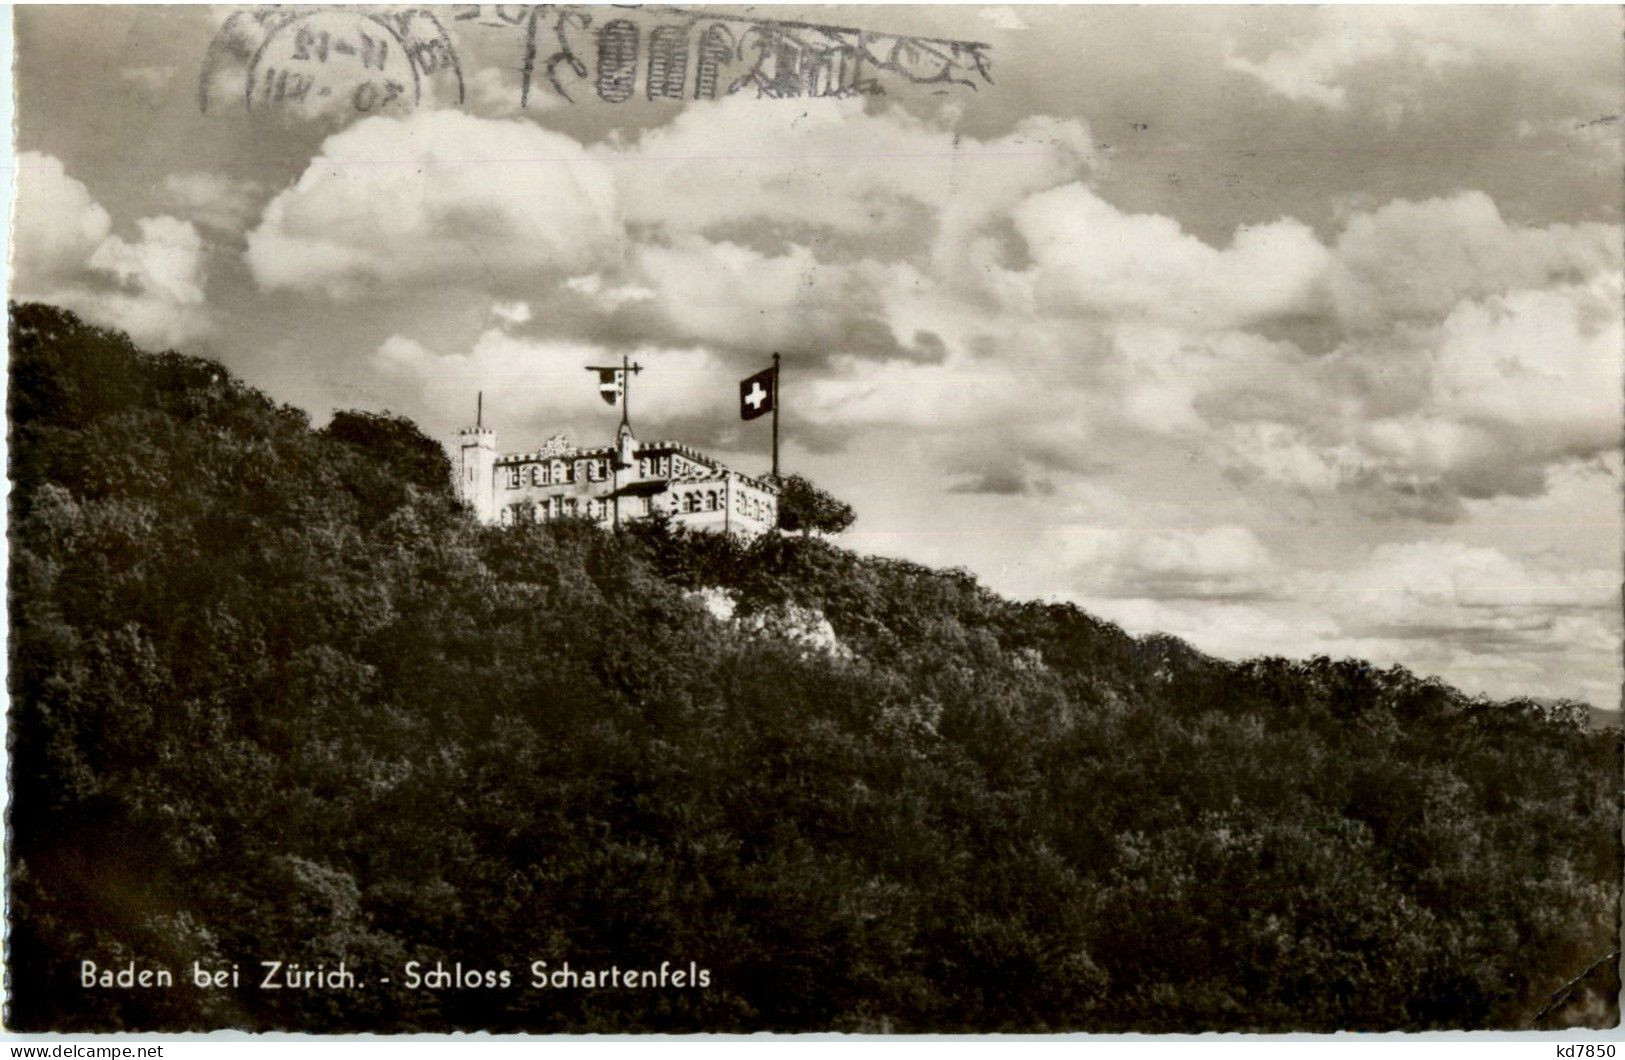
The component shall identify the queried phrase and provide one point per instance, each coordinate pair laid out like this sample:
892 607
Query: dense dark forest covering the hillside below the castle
275 697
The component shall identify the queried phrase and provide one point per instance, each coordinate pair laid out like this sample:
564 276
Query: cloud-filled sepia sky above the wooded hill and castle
1283 331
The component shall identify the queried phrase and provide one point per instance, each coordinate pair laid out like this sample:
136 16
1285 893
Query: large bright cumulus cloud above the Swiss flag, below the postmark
813 227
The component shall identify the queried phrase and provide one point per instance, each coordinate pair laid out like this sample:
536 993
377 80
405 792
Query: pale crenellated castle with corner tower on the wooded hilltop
610 484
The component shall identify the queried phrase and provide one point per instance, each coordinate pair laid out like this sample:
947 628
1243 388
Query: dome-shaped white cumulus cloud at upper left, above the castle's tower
436 198
